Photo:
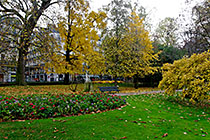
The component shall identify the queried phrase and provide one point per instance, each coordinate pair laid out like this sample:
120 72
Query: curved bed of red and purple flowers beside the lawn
48 106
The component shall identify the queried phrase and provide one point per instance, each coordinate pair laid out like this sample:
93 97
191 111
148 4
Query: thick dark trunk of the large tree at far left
20 73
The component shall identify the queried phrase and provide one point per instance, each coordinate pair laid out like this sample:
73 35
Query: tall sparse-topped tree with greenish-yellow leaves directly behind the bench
118 17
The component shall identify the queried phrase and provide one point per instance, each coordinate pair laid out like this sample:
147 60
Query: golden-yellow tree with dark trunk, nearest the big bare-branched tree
78 30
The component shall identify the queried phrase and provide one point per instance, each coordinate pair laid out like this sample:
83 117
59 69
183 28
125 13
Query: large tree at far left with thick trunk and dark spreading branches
25 16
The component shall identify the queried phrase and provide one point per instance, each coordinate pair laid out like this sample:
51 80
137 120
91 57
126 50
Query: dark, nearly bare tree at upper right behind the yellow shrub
197 36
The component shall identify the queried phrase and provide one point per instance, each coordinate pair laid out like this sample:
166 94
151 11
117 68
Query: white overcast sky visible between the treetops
158 9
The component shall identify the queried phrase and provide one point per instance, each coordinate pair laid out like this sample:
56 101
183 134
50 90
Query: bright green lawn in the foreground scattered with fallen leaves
146 117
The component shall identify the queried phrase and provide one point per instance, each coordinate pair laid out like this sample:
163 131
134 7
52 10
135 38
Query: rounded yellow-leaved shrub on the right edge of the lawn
192 75
